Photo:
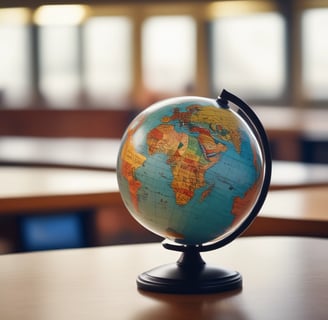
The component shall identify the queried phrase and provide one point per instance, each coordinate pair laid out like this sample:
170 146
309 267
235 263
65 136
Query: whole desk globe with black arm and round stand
195 171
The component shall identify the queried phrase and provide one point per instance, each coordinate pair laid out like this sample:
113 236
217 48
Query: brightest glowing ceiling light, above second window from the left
60 14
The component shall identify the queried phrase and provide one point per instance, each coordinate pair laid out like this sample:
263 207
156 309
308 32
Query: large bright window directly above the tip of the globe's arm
248 55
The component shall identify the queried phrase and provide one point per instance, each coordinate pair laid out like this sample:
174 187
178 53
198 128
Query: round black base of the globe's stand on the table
172 278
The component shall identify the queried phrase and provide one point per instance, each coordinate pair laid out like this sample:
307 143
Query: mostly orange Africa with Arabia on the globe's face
188 157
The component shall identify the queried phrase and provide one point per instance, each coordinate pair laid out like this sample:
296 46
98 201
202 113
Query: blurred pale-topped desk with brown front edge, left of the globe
25 189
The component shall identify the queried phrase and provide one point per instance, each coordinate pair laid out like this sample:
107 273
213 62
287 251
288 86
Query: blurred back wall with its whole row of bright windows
114 56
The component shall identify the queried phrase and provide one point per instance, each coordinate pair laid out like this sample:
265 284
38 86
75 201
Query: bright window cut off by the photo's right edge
315 54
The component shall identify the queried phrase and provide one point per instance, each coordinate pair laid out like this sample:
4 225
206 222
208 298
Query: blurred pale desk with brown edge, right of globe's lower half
300 212
